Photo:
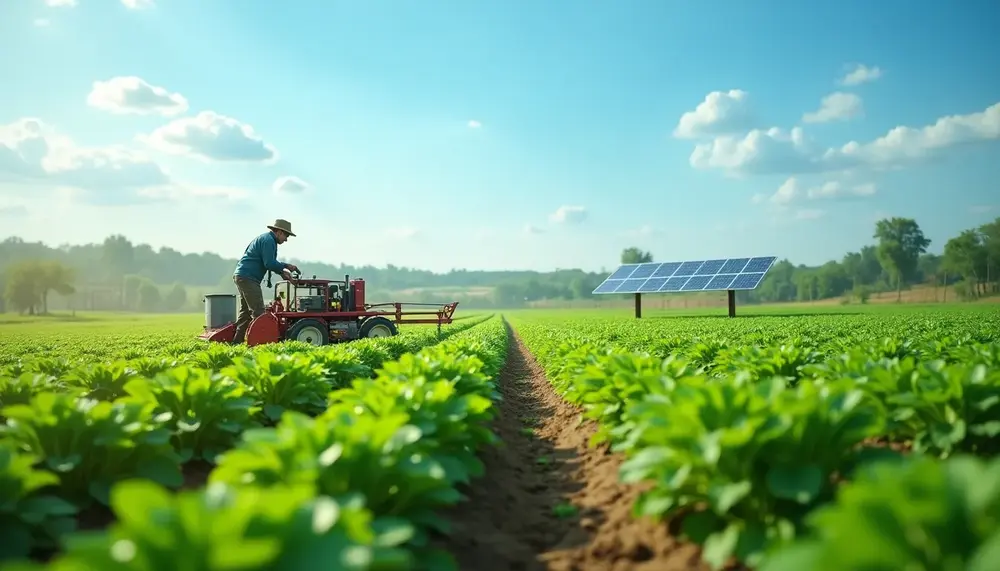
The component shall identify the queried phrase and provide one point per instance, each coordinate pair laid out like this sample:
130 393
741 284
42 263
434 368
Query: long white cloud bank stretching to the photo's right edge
789 152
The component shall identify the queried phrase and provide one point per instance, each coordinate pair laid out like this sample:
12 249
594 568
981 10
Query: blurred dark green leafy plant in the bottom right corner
916 514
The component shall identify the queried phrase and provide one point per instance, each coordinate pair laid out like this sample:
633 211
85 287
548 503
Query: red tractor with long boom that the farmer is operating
319 312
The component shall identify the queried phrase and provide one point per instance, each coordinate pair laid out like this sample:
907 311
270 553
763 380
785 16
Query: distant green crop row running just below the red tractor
275 376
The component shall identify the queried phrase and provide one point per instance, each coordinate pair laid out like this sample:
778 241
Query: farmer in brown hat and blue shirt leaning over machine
260 257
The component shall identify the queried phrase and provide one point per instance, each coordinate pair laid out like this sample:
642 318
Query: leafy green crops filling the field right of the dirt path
854 452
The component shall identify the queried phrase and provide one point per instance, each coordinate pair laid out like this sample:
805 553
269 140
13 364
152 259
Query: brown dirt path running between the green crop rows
511 522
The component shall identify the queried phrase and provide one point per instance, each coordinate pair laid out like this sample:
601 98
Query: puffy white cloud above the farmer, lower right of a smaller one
212 137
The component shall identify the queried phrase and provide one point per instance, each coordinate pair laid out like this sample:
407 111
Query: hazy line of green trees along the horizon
119 275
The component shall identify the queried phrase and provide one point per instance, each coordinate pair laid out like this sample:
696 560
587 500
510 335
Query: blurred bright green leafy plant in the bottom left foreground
249 529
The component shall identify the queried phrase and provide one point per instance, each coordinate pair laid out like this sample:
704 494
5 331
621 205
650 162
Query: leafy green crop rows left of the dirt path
311 459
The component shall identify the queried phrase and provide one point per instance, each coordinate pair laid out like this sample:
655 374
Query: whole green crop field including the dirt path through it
842 438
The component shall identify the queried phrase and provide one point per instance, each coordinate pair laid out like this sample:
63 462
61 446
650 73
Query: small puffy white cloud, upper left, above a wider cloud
133 95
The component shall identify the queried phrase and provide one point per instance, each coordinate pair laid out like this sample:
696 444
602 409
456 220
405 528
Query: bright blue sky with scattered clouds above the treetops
498 134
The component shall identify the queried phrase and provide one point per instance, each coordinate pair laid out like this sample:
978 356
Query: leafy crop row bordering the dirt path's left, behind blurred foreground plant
403 440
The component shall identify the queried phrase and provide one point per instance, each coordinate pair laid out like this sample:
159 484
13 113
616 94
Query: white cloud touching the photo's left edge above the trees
31 151
